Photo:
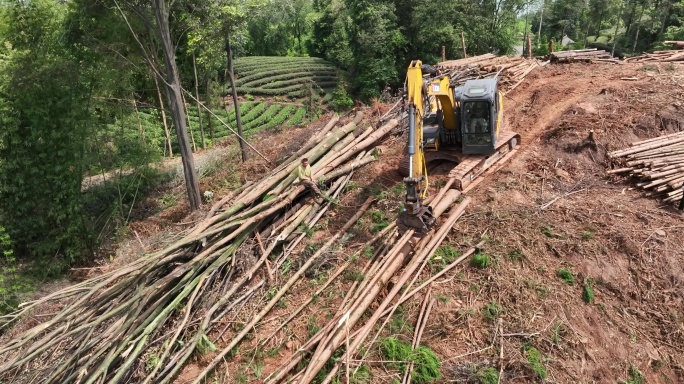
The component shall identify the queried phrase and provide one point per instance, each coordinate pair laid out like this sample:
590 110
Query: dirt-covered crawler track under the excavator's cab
472 166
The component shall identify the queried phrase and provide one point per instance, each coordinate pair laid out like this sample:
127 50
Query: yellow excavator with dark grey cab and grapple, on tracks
461 124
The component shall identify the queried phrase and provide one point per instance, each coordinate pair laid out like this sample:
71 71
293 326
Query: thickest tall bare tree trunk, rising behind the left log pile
173 93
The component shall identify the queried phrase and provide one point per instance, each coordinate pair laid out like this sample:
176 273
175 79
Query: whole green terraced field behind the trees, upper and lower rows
276 90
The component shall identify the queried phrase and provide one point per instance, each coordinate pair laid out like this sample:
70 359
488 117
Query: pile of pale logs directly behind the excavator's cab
511 70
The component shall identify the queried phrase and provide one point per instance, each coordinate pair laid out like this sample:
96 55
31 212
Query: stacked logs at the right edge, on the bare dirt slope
657 164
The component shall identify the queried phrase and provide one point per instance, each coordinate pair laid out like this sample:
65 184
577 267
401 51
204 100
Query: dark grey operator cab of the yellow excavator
481 116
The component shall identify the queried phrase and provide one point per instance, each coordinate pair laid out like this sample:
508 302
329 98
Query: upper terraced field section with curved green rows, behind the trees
285 76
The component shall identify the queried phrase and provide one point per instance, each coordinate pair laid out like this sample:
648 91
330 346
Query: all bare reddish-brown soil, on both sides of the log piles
552 207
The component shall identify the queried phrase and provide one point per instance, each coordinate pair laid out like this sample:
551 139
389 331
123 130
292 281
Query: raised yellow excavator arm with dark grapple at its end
415 215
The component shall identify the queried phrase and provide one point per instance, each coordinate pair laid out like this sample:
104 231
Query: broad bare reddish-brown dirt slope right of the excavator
627 247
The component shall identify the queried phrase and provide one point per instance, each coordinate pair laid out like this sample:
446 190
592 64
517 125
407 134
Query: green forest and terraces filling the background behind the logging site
111 87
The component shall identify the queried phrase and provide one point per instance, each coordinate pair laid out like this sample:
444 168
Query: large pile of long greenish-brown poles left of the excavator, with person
182 299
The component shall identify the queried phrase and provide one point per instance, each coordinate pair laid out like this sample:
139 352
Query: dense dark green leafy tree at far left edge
44 94
